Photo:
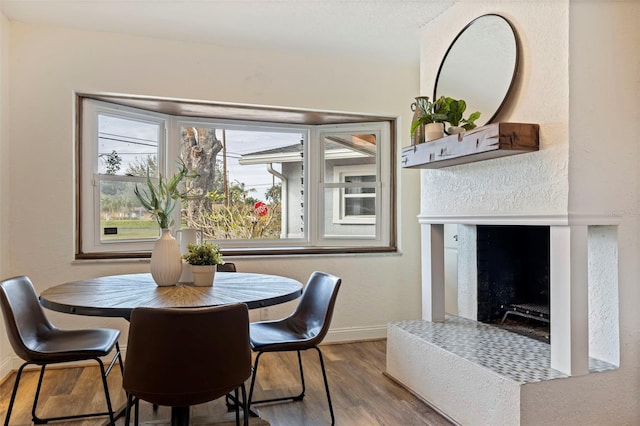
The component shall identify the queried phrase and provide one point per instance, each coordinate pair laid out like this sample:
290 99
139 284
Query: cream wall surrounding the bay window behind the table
47 64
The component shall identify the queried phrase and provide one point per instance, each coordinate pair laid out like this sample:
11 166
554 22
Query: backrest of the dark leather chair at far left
24 318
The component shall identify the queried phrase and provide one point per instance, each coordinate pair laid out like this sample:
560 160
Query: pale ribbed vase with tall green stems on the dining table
161 199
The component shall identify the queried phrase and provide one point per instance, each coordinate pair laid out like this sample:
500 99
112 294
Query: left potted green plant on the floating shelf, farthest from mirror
428 119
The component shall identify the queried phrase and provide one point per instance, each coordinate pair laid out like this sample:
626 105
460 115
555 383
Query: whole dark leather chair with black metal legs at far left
37 341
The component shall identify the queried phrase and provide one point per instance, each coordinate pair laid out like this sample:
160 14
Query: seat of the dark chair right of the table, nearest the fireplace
273 336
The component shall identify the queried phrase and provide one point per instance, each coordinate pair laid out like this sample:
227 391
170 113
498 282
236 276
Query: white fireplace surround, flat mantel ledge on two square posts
569 308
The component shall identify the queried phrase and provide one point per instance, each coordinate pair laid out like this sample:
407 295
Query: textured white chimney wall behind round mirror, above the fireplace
535 182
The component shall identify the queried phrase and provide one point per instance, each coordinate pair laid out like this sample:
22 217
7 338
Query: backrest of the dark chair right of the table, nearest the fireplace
315 310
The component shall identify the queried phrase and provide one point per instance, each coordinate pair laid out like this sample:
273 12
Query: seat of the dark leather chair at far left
68 345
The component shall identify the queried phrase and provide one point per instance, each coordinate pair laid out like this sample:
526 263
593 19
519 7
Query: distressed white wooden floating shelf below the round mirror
482 143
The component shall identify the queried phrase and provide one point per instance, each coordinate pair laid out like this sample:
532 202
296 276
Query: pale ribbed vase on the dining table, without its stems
166 262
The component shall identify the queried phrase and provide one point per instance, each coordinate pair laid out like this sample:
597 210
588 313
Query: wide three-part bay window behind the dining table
262 186
